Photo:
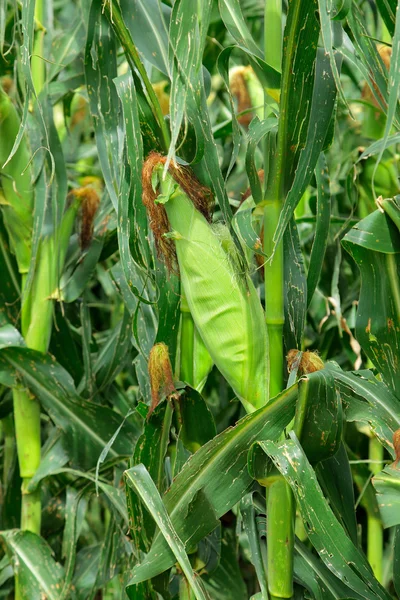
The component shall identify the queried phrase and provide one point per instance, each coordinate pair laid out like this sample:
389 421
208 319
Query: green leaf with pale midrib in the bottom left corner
39 575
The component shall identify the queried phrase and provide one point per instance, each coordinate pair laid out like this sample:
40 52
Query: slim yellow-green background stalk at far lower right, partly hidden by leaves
374 524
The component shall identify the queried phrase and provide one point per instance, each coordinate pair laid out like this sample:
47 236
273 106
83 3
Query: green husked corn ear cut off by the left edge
17 198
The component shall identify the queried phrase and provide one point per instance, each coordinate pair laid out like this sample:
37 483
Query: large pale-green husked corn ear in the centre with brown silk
223 302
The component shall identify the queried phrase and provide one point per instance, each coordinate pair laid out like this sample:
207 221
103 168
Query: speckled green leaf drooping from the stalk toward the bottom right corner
323 529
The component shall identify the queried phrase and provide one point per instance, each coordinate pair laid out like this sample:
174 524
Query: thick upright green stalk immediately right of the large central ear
281 507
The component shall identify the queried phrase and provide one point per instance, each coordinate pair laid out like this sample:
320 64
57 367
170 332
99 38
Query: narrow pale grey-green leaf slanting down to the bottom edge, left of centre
139 479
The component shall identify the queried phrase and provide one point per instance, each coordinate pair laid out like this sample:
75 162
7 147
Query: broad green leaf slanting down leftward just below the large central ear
213 480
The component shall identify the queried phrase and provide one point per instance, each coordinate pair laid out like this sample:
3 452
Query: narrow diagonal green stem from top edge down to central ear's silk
113 13
